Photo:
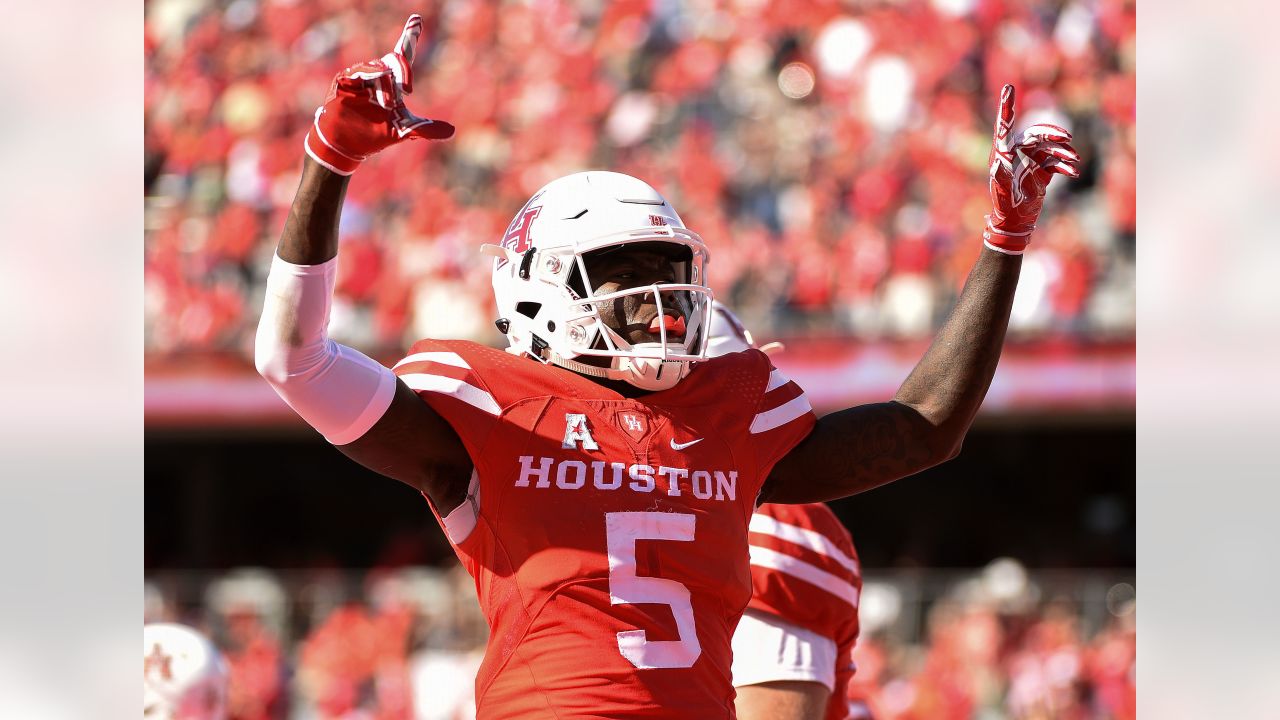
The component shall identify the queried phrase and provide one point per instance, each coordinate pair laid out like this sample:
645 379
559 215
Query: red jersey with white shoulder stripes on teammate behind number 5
806 572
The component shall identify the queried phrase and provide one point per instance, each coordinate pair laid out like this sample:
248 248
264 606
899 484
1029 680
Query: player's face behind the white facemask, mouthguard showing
636 317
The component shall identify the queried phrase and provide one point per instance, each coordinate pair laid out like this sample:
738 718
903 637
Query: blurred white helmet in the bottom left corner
184 676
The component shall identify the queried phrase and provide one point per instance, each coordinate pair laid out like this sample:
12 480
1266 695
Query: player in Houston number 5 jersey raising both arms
598 479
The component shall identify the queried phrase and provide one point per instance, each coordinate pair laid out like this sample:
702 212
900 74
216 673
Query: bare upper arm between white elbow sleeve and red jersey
413 444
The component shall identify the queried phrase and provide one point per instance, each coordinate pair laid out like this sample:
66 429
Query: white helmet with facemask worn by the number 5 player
541 281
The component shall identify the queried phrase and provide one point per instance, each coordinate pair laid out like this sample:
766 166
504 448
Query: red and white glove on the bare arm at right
1021 171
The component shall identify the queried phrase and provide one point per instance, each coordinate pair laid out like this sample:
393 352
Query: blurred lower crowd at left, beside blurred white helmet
399 645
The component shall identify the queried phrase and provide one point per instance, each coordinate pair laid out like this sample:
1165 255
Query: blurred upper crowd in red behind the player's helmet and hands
831 153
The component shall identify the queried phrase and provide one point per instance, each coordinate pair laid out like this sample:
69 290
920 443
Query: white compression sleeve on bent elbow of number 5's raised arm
337 390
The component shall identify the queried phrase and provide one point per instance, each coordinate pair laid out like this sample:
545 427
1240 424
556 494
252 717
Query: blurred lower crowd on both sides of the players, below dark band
405 645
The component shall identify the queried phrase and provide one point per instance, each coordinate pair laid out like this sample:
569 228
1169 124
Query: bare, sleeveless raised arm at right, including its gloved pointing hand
863 448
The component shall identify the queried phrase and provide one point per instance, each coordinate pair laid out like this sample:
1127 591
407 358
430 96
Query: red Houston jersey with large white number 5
607 536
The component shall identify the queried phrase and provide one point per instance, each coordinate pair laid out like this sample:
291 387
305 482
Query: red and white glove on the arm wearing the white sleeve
365 112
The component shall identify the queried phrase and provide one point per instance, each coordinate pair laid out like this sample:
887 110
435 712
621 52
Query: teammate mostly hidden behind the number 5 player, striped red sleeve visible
793 649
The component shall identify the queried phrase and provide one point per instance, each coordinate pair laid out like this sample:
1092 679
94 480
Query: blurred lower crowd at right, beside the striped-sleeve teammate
1000 645
